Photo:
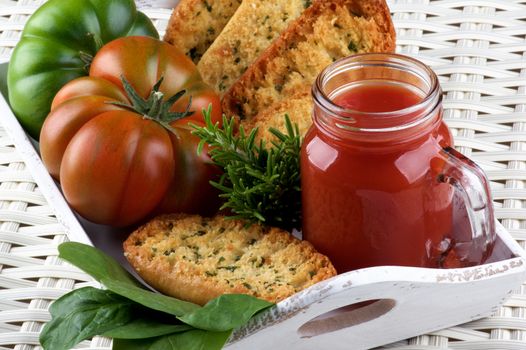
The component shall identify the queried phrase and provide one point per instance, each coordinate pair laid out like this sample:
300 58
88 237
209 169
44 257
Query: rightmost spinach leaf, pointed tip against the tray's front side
225 312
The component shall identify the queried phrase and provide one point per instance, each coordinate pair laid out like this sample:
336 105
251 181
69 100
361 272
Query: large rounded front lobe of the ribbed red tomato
116 180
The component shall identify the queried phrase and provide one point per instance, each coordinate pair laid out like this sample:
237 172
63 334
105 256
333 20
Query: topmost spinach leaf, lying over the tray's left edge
95 262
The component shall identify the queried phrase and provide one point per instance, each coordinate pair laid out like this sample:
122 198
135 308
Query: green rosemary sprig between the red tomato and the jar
259 183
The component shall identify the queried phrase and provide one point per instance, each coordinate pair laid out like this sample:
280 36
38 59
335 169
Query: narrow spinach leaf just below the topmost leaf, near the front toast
150 299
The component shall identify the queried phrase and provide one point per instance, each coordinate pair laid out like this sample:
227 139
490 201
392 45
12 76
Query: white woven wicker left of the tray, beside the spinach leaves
31 276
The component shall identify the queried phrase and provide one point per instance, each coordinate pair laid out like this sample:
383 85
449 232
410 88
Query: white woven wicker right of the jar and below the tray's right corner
477 47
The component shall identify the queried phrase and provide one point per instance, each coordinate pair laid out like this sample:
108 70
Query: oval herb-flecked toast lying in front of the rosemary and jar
197 259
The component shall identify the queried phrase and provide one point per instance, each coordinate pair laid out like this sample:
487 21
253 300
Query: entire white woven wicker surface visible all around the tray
478 49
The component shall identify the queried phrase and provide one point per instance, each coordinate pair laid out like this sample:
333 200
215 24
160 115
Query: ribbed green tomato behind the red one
57 45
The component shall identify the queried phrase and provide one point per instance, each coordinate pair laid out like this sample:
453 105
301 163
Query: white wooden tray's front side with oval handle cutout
367 308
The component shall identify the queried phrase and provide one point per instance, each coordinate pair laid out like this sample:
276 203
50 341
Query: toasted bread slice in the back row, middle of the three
249 32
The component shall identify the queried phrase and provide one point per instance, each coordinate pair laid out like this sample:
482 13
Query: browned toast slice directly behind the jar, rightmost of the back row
325 32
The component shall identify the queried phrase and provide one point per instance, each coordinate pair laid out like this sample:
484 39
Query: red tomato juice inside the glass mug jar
372 202
